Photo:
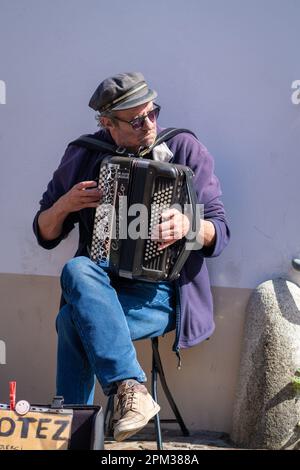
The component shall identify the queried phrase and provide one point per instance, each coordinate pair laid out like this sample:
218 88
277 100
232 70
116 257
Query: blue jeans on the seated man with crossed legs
97 326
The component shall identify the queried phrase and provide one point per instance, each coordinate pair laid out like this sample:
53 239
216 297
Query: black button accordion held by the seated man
151 187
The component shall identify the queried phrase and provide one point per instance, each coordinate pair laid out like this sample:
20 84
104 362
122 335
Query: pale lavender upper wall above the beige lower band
222 69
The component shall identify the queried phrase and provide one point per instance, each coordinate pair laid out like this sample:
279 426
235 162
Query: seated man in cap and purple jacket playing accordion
103 314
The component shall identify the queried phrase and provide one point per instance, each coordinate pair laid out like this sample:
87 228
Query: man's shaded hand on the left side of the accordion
83 195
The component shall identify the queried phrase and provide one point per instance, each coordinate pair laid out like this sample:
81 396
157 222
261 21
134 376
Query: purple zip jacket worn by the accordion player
195 321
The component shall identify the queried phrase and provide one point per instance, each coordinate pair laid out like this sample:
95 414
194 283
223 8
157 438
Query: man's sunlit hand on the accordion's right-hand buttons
174 226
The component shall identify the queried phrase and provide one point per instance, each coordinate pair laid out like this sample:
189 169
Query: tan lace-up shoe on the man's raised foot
136 408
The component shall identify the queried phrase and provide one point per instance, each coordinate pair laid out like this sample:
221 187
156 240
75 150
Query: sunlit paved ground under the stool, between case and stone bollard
172 440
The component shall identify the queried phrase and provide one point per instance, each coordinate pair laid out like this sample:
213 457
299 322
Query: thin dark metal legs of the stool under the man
157 369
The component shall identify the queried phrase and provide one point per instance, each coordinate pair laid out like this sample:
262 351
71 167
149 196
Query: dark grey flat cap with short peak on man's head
123 91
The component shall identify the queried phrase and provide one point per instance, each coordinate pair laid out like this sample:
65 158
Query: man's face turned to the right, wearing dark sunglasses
125 135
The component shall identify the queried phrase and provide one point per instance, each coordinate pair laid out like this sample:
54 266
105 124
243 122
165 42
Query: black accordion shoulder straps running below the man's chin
92 143
